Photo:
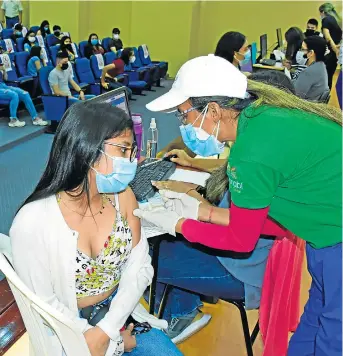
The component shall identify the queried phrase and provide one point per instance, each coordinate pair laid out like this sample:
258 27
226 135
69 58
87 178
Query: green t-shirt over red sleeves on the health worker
291 161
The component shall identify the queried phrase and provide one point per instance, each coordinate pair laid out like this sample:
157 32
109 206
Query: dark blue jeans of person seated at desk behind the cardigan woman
184 266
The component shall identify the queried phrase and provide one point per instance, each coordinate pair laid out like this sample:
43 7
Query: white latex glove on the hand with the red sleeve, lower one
161 217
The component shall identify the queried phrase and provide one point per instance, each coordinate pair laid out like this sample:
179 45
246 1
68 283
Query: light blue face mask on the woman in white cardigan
123 173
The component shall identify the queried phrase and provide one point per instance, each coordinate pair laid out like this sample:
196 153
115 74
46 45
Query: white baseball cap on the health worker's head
202 76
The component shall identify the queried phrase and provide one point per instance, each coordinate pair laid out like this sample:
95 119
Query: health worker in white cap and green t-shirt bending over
280 173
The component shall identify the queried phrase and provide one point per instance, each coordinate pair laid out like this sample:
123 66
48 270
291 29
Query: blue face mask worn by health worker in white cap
199 141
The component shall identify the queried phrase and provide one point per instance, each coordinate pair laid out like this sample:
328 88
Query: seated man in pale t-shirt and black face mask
62 76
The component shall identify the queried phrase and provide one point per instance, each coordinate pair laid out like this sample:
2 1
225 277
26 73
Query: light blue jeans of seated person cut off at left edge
14 95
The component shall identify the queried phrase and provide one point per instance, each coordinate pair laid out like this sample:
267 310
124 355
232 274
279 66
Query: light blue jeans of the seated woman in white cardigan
154 343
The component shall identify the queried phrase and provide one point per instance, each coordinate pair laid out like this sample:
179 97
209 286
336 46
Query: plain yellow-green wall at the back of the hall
174 30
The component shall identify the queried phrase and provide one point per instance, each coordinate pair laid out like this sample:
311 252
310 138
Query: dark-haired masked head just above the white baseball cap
234 47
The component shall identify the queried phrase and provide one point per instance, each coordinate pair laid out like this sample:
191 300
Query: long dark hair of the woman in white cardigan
76 147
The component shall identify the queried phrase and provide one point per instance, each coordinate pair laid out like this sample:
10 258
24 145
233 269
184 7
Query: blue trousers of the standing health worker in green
320 330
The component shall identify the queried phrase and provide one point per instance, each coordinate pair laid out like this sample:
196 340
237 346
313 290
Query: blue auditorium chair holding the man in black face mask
54 106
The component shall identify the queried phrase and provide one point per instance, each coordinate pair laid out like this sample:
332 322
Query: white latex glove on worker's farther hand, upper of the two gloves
181 203
